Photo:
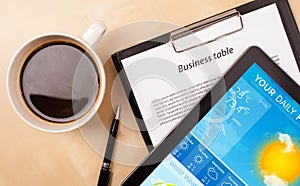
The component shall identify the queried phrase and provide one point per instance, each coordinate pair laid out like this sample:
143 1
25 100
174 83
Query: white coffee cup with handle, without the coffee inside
88 41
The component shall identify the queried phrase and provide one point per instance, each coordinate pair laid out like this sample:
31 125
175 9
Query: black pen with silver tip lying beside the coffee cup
105 174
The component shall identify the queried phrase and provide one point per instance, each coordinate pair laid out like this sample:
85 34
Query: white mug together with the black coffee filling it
47 113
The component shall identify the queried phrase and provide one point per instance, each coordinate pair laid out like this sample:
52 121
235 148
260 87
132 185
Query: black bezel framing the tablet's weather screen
251 56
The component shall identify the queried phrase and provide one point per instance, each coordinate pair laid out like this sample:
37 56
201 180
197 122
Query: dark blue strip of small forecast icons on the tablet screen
203 164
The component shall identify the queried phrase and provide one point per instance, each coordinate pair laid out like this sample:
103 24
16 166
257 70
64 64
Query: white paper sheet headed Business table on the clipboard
165 92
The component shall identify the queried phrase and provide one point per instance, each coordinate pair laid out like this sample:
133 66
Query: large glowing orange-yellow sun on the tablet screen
282 160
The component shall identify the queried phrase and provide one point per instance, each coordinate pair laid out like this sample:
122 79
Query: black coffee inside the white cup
60 81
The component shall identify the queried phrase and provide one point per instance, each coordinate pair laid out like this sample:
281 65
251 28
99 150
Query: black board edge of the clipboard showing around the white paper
289 24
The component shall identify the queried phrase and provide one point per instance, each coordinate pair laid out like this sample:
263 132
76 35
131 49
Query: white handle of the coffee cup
94 33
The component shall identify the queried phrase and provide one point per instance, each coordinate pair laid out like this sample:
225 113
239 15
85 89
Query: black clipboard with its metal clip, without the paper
235 15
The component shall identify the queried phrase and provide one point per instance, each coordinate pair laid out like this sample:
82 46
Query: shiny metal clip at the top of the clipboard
206 31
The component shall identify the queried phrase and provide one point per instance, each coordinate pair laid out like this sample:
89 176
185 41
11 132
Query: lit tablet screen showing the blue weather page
250 137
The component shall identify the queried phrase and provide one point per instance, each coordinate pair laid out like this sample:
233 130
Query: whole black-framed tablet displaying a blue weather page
245 131
